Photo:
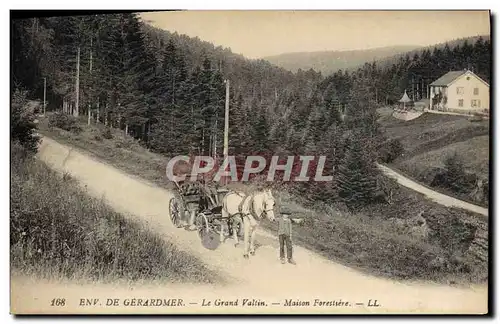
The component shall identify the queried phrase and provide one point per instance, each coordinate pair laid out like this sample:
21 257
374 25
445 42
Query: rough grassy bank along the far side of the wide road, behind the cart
370 240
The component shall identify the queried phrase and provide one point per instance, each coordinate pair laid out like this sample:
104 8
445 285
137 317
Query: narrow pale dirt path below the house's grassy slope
431 194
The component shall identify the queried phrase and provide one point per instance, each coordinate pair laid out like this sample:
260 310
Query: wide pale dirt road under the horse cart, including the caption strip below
261 277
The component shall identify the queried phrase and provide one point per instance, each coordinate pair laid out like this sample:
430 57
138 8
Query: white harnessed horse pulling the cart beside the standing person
251 208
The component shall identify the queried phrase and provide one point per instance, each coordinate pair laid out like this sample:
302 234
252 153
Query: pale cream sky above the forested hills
257 34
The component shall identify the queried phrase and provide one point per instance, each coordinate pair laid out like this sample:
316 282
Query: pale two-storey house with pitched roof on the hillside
460 91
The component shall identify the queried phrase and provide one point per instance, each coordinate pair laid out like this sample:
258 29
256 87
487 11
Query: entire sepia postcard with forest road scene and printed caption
250 162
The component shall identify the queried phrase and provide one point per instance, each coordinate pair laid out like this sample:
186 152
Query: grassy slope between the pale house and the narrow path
428 139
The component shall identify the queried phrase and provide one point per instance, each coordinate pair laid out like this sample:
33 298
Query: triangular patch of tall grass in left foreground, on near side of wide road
58 231
